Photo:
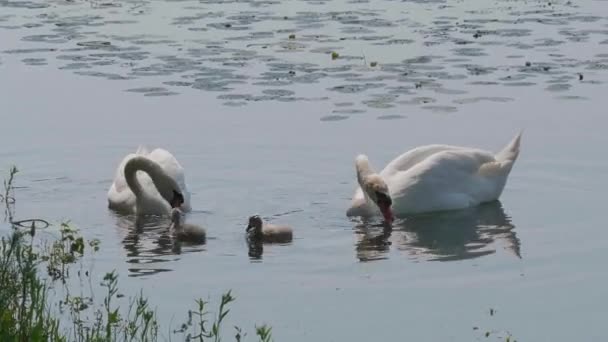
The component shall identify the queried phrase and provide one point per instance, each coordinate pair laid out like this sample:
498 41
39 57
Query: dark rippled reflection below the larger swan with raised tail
445 236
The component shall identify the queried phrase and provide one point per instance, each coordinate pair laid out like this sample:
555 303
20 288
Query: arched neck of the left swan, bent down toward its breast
156 173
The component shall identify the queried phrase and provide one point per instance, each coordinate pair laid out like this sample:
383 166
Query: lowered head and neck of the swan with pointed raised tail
374 187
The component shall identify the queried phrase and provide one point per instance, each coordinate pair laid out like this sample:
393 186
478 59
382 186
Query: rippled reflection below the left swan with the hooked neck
149 244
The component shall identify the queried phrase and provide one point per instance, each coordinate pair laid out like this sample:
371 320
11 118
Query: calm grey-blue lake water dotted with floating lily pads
249 99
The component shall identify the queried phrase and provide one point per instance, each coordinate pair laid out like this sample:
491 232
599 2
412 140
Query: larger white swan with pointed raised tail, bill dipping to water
432 178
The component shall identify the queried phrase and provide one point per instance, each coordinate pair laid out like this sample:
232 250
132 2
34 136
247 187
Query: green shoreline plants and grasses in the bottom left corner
44 294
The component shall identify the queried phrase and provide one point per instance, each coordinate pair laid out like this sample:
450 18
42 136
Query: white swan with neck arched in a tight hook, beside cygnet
149 184
